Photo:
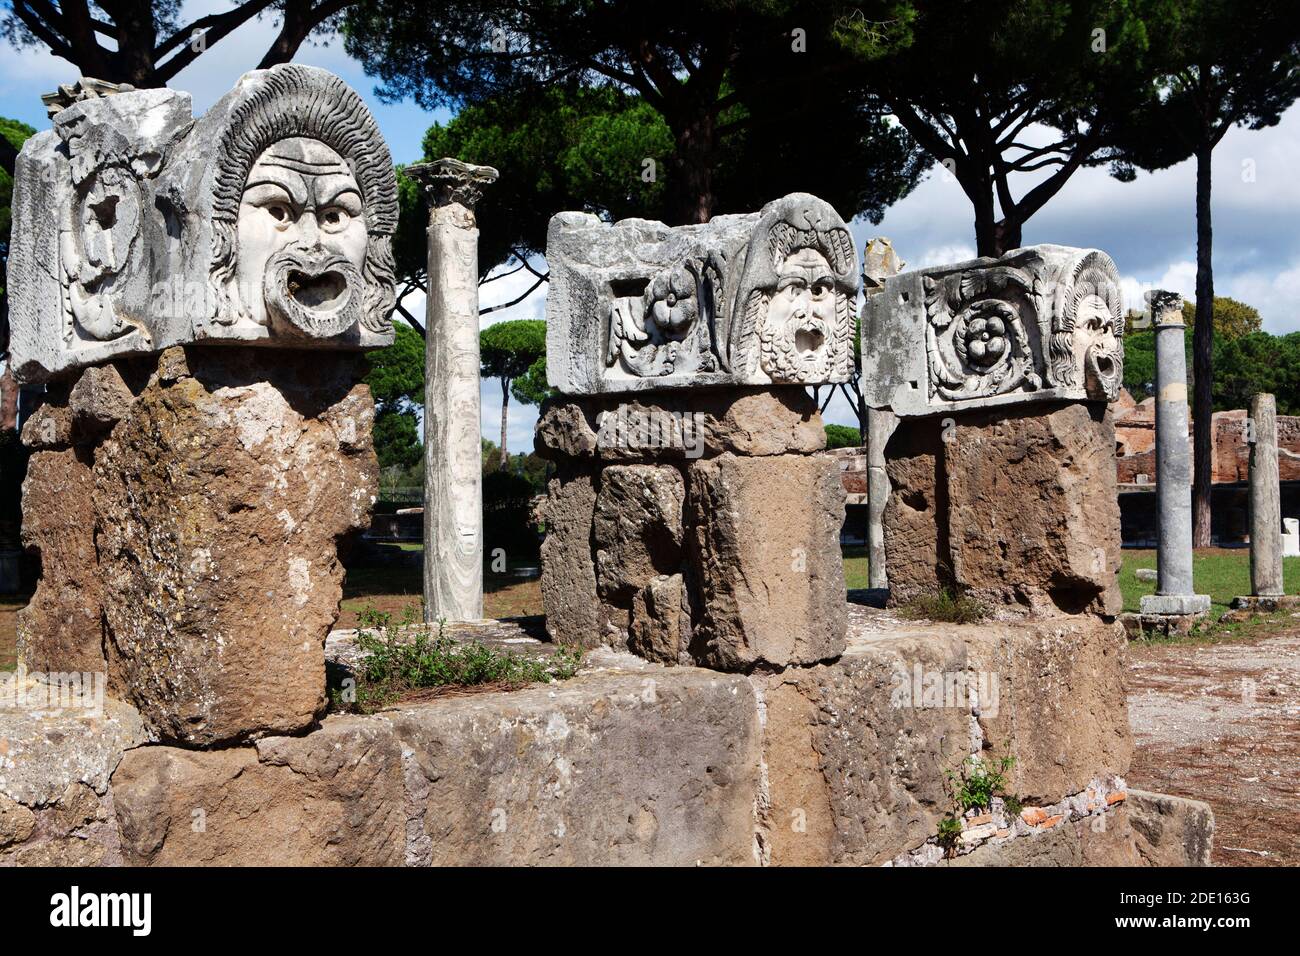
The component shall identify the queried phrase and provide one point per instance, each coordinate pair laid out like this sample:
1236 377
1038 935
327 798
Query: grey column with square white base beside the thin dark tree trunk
1173 465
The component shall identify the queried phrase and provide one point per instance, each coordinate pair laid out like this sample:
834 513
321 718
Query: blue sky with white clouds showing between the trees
1149 227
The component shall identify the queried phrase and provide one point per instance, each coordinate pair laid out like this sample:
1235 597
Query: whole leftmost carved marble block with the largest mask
268 220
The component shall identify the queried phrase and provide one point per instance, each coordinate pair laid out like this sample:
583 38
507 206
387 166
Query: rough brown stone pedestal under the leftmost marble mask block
193 548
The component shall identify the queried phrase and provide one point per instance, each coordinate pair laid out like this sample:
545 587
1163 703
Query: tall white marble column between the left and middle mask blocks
453 445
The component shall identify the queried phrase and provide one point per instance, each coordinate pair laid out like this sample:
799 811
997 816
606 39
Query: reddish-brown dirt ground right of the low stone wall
1220 721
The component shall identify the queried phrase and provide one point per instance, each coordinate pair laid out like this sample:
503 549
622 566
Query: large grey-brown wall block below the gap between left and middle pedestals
653 768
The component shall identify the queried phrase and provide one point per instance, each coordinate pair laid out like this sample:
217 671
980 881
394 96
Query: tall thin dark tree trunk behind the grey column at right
1203 356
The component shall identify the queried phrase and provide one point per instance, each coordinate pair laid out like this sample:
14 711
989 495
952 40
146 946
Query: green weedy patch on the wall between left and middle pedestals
402 660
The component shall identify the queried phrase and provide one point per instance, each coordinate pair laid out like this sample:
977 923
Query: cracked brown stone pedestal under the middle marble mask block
695 527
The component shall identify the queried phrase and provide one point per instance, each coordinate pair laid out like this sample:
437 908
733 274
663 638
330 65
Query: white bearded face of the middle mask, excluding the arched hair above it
799 327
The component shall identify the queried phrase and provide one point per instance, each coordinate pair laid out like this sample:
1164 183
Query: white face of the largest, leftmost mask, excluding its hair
302 240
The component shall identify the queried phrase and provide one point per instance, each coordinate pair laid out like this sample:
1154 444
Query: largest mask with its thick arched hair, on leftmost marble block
305 211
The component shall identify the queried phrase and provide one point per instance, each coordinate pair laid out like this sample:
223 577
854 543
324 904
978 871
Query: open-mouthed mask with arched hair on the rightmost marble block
1086 349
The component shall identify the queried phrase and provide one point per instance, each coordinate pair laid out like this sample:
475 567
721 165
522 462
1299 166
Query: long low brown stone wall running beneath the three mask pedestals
632 763
